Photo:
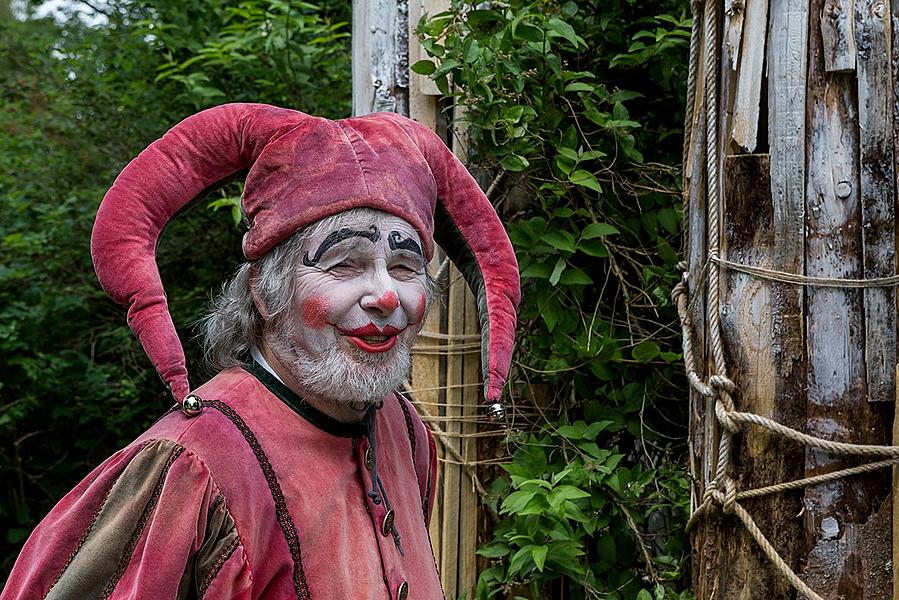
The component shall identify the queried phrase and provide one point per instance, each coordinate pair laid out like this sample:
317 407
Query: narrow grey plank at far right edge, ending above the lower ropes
877 188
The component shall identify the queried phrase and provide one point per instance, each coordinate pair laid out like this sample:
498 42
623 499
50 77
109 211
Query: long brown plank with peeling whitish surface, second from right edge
838 516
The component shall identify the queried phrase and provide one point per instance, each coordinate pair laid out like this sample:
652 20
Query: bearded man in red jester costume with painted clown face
297 471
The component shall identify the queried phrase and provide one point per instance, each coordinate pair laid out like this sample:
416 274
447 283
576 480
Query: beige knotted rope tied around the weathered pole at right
717 390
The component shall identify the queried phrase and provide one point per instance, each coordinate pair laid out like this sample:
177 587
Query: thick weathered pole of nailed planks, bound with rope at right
803 95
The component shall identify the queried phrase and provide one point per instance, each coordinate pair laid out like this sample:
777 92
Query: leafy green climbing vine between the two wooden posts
573 109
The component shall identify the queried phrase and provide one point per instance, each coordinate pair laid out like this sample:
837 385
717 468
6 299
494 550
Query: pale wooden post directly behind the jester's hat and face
445 374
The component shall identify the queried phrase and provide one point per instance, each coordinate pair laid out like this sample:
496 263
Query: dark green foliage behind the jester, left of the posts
76 385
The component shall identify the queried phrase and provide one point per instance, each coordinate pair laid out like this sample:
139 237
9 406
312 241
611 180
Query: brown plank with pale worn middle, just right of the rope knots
749 313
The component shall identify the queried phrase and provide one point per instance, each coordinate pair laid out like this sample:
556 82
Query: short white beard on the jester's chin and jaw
346 376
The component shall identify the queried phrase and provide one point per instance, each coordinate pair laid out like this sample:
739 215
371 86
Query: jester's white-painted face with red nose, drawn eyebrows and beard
361 296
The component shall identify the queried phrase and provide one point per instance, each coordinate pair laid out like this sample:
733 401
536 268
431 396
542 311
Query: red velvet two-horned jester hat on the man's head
300 169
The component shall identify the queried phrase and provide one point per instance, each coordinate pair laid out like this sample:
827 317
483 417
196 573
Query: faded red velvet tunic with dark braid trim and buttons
259 496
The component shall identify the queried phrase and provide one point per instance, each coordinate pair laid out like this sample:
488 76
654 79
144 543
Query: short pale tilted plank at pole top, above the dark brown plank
749 78
